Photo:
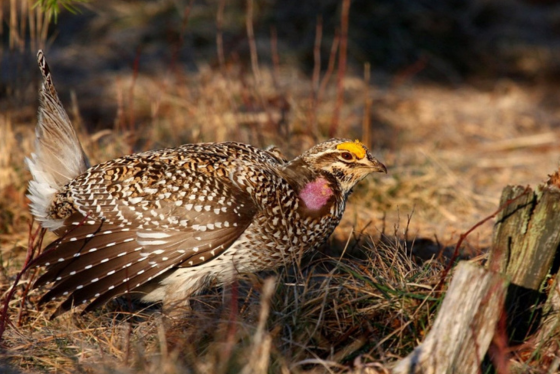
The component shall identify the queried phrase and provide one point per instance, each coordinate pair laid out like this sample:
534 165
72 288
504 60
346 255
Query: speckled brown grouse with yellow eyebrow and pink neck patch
161 225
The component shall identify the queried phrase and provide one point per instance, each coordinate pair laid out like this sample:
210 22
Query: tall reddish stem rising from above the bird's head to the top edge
341 66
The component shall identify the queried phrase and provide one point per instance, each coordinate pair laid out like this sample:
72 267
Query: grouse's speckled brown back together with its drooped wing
126 221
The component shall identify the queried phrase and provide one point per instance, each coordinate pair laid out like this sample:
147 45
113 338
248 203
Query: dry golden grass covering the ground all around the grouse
366 299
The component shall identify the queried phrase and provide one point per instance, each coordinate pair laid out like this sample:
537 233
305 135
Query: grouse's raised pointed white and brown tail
58 156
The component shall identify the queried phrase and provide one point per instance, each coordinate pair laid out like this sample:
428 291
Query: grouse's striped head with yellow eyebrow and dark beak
347 161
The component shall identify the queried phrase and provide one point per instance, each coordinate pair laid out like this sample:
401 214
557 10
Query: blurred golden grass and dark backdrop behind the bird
459 97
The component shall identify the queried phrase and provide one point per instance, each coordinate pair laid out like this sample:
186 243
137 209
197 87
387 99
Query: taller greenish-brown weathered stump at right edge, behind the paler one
525 247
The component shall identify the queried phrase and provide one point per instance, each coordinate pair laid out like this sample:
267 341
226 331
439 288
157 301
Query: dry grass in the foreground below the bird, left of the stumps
325 315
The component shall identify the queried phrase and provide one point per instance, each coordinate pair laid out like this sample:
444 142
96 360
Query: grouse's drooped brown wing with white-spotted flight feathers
121 240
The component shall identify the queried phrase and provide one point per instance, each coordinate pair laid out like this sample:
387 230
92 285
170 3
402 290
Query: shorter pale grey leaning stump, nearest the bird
464 327
